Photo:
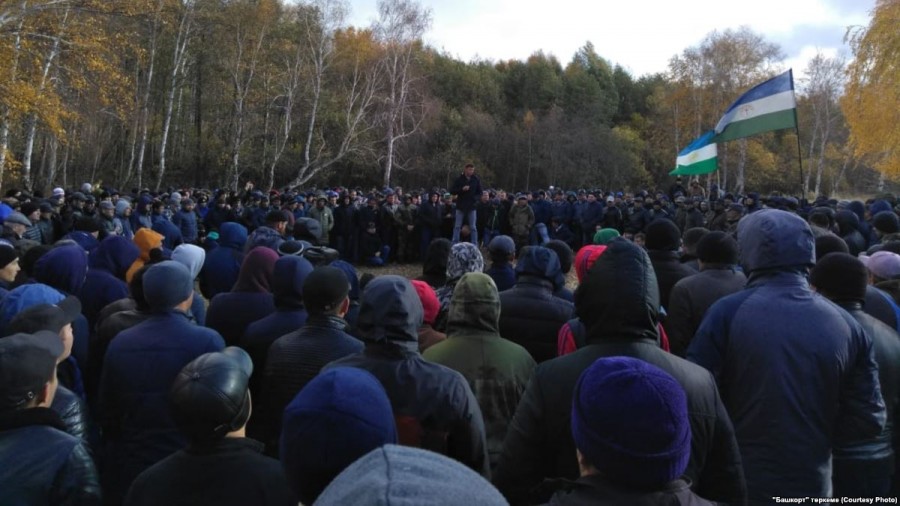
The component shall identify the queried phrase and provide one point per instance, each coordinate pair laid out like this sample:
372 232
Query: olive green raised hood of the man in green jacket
475 305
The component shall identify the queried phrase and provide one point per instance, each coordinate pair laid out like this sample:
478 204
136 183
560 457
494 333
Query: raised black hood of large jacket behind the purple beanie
619 296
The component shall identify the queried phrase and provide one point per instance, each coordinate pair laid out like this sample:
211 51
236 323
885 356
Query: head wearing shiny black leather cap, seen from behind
210 397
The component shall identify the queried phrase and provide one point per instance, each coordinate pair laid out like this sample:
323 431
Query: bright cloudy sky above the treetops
640 35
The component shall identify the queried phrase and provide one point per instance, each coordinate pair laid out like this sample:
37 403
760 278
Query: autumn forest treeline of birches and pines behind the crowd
214 93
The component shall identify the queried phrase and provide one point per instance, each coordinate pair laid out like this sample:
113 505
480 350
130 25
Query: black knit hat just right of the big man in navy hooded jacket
841 277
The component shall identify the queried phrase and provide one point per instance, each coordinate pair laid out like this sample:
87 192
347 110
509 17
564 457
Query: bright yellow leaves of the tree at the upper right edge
872 100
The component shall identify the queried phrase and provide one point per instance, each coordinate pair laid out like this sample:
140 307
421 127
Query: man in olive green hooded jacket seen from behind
497 369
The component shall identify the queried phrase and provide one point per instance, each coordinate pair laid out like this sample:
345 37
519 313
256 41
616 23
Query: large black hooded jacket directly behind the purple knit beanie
618 302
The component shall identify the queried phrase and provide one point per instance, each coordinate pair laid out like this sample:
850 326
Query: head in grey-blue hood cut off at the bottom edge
395 474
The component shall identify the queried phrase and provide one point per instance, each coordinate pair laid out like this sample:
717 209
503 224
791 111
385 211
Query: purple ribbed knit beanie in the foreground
630 421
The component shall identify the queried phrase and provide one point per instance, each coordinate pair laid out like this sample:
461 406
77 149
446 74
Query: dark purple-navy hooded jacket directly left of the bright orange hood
105 283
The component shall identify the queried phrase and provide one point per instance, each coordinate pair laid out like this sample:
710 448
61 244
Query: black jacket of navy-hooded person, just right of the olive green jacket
531 316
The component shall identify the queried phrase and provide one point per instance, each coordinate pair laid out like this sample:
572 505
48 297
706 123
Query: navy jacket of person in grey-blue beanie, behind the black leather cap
140 365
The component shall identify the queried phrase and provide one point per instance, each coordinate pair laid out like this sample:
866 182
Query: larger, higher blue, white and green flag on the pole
767 106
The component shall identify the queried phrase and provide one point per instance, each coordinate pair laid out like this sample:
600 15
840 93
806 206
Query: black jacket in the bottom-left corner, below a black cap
42 465
